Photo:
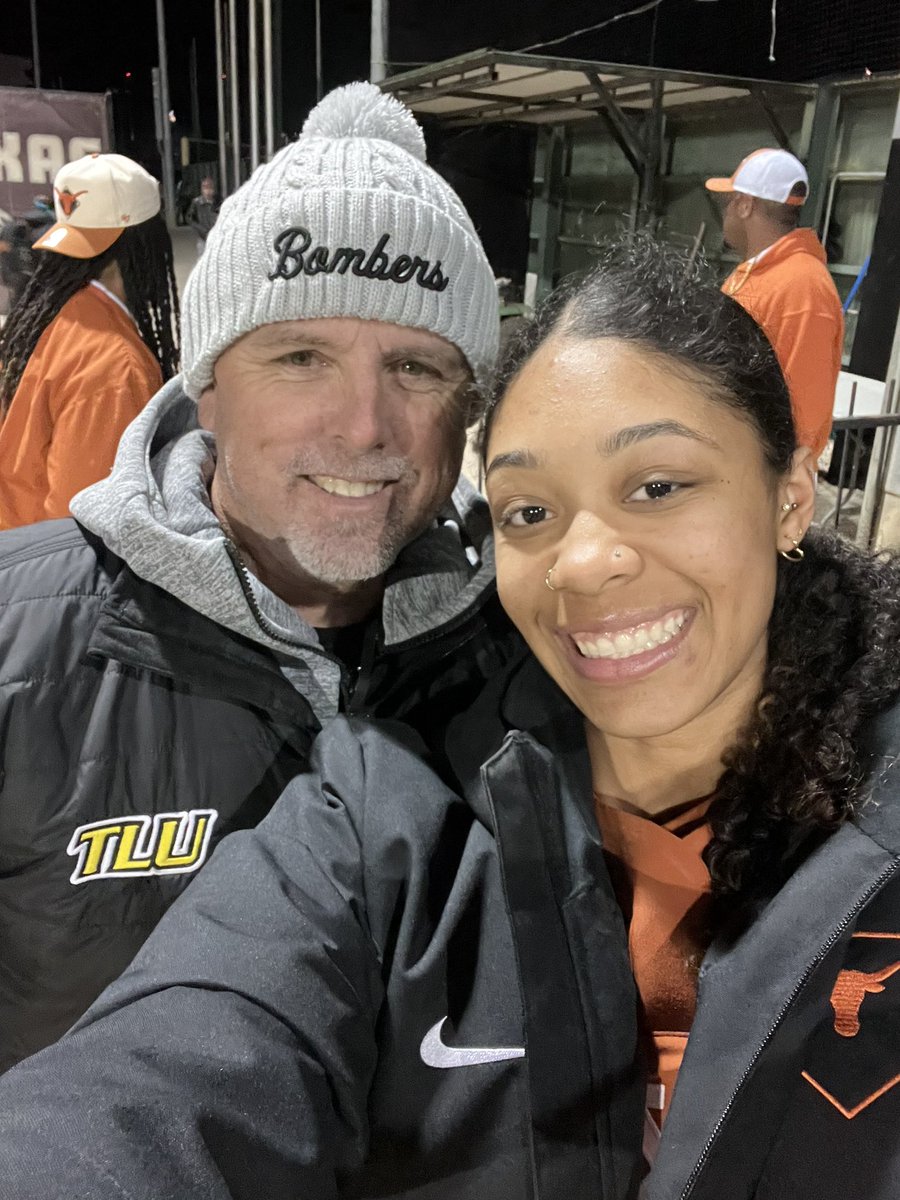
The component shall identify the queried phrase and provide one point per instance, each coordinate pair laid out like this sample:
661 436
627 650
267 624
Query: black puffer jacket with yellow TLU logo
135 734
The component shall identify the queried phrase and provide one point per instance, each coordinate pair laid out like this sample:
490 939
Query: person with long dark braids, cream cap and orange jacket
91 341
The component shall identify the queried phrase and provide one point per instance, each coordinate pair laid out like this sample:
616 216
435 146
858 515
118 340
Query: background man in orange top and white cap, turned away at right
784 284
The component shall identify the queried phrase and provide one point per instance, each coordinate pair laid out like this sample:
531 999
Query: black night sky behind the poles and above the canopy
93 47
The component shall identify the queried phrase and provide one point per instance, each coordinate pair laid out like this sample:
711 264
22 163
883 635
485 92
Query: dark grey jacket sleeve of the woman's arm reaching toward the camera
235 1058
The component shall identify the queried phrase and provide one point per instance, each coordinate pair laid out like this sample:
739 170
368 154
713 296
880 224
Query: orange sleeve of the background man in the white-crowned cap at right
809 343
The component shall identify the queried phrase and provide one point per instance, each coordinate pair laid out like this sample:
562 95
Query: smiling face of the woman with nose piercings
653 506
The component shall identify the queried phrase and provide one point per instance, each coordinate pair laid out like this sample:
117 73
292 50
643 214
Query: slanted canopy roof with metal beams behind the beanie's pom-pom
494 86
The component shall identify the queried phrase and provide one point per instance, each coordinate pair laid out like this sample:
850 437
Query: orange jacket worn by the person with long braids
88 377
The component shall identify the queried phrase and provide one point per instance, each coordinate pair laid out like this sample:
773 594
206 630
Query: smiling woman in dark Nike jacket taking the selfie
410 987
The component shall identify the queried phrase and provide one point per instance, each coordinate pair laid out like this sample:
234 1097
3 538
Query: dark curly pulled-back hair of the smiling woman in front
797 771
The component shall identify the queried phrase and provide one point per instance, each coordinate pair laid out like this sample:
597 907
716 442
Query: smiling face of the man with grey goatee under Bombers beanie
338 442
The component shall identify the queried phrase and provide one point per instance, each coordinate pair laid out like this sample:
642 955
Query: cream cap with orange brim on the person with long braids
98 199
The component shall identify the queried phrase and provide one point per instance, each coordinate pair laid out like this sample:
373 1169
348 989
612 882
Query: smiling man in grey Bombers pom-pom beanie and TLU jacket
170 657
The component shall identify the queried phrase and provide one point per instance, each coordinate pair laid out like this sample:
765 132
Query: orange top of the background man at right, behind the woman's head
790 293
